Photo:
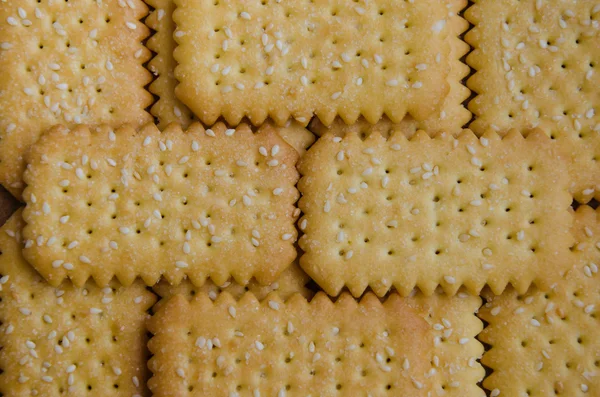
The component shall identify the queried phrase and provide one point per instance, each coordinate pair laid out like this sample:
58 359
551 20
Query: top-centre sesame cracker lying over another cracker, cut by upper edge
296 59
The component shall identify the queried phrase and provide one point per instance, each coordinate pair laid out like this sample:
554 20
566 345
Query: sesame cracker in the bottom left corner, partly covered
68 340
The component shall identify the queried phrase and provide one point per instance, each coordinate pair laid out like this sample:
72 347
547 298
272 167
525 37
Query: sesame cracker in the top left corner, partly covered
71 63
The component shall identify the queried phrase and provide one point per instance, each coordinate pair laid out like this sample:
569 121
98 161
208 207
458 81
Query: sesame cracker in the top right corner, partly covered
536 67
